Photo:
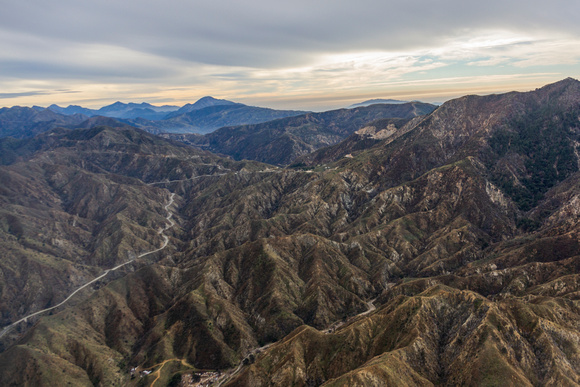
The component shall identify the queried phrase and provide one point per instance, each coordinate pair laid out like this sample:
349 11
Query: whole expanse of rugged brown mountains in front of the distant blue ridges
446 253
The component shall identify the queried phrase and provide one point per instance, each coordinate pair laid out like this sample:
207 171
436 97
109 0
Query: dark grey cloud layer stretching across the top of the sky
259 33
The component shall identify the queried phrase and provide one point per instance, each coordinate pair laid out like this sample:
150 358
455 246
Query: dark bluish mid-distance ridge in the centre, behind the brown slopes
281 141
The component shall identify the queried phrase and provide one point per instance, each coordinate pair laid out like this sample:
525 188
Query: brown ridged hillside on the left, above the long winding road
75 202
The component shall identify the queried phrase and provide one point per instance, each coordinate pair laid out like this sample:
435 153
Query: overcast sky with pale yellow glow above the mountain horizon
311 55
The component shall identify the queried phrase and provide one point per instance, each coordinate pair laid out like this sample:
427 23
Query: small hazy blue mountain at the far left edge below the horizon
22 122
